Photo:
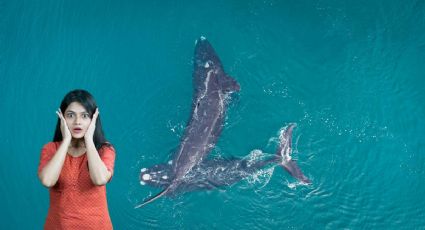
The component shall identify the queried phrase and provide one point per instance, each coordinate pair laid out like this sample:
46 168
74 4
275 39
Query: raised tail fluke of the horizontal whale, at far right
284 154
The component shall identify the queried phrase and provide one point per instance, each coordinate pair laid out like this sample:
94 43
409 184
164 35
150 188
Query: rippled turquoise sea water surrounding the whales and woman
349 73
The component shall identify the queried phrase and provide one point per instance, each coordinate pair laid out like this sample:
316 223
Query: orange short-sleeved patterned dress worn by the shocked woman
75 202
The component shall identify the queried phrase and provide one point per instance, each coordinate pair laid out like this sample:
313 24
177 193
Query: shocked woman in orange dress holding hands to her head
76 166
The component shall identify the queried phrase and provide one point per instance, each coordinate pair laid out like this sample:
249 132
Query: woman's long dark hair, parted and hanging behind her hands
87 101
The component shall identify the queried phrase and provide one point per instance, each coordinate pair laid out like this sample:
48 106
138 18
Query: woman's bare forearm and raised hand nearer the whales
99 174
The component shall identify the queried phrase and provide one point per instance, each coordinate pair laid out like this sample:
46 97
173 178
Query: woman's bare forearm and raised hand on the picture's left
49 175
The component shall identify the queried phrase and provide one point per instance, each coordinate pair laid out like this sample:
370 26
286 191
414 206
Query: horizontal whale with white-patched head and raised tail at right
221 172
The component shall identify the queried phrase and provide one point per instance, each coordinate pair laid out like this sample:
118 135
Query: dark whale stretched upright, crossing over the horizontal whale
212 90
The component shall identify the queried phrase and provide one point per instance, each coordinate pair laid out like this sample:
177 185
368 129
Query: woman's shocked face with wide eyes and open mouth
78 119
